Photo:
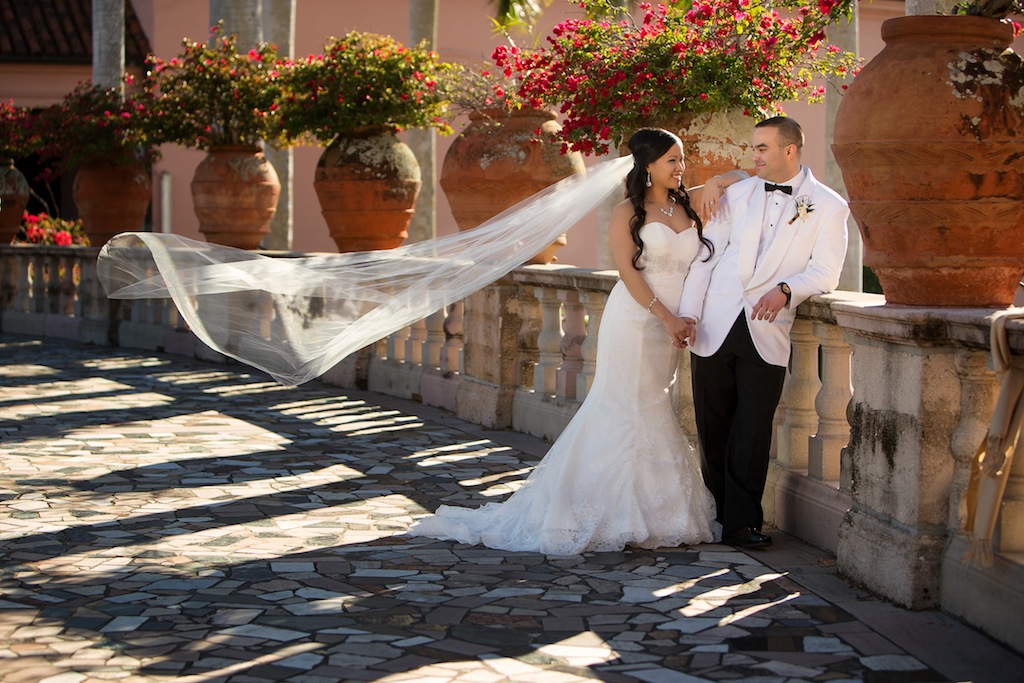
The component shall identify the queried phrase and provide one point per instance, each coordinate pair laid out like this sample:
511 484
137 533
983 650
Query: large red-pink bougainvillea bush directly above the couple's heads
610 76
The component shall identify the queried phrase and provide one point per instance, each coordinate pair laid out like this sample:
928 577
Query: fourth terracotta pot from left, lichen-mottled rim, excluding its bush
367 184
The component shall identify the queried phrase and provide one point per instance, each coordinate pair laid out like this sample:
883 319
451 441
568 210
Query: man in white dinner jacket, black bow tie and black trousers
780 239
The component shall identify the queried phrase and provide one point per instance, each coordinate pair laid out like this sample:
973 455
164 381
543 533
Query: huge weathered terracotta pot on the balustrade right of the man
933 167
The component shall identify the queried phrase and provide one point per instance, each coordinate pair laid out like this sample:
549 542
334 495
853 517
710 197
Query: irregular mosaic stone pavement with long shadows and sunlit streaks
162 519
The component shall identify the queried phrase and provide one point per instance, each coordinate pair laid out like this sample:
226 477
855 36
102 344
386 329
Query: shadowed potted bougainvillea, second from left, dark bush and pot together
104 138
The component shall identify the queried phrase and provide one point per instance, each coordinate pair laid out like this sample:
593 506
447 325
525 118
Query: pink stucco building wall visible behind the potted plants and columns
464 34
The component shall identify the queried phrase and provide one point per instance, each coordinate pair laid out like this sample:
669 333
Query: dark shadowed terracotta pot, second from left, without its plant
111 199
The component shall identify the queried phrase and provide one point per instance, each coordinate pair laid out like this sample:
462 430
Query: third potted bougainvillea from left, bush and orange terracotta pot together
216 99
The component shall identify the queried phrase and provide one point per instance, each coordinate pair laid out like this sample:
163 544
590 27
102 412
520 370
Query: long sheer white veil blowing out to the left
297 318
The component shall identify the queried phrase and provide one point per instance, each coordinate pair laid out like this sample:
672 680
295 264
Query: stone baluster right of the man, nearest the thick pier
833 400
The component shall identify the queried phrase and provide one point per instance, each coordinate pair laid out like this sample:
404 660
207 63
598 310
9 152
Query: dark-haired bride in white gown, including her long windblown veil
622 473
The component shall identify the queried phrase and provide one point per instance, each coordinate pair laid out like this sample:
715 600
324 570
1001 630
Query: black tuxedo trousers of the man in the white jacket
736 395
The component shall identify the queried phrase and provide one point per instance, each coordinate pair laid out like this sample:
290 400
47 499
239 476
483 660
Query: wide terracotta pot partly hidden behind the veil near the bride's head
501 159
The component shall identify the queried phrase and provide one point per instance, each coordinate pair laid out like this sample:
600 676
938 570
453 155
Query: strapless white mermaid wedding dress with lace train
622 473
